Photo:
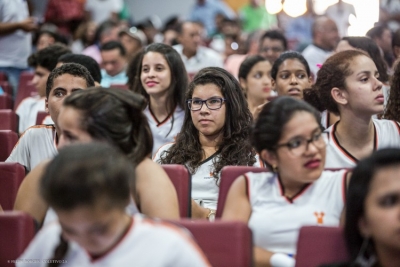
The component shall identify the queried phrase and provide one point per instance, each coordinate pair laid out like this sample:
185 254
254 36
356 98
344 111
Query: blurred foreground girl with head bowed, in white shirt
88 186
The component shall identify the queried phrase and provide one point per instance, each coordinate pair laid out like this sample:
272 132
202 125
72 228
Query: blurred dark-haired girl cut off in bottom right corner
372 211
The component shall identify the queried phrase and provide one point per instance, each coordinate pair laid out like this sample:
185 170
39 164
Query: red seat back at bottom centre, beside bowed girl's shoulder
226 244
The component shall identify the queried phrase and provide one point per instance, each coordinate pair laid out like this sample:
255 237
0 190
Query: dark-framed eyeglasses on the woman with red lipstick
298 146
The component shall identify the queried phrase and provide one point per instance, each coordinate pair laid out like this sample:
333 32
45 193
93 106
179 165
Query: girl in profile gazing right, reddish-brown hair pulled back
348 85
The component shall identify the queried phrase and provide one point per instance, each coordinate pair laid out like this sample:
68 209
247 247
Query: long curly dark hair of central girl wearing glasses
235 147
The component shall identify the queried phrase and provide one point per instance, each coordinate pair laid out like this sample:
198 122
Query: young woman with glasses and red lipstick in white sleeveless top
288 137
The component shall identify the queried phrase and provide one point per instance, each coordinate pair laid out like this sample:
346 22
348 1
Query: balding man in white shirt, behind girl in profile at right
325 38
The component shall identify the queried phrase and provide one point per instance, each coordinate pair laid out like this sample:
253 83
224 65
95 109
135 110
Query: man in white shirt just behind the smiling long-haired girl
194 56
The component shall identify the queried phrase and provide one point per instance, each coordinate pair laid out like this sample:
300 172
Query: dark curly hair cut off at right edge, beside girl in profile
392 110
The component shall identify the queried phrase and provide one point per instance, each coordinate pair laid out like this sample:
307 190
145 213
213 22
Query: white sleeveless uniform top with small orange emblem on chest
276 220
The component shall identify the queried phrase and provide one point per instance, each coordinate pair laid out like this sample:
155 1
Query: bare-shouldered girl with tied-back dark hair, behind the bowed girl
114 116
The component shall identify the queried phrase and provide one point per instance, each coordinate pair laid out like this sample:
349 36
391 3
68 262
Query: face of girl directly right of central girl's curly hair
258 82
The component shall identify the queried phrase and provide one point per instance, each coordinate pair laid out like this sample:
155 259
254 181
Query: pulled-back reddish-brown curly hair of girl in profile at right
333 73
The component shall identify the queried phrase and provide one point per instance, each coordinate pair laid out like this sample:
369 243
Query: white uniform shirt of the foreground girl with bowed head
146 243
